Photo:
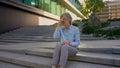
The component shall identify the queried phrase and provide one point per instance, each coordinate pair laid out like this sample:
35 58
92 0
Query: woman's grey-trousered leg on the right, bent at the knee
65 52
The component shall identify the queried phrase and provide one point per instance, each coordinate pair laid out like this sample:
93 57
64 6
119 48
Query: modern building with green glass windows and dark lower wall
18 13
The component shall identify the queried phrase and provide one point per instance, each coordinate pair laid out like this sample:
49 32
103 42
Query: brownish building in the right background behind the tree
111 11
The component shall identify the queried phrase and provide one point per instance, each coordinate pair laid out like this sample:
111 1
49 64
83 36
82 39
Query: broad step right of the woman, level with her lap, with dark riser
101 46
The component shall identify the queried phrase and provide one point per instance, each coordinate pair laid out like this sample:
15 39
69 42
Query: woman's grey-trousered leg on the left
56 56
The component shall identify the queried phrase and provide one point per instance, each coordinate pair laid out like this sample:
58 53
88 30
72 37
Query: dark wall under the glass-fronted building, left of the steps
11 18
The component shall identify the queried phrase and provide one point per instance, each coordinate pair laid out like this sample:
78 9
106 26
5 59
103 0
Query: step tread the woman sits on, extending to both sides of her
46 50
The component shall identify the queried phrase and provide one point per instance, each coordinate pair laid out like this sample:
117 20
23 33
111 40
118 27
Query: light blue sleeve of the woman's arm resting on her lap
76 41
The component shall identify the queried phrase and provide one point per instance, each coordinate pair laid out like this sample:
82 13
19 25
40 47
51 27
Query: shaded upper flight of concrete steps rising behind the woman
37 33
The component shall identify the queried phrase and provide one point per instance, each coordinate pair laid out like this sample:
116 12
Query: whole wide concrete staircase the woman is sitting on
27 48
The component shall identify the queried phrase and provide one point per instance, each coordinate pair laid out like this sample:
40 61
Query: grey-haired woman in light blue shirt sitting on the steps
70 39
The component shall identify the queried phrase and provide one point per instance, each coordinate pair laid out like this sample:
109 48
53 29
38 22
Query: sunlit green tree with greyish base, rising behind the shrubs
90 8
